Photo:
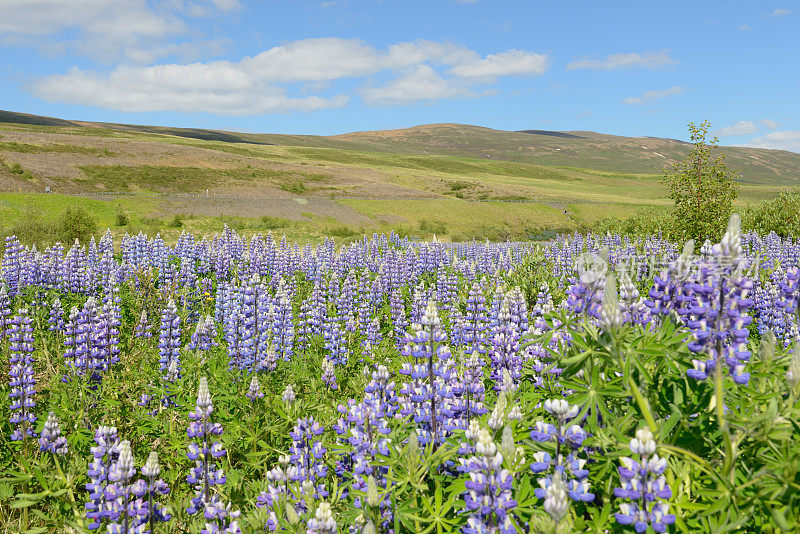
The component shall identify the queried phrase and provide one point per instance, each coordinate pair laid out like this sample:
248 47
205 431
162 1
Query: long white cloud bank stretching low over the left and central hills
254 85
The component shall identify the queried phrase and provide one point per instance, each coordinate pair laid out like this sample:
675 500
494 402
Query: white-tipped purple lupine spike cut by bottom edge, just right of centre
489 496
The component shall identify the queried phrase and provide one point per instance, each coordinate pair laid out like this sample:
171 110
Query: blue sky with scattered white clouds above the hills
335 66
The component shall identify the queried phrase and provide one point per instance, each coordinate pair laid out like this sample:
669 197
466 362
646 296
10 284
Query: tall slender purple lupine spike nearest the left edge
21 378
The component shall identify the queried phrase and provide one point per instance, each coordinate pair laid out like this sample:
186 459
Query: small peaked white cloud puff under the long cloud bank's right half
420 83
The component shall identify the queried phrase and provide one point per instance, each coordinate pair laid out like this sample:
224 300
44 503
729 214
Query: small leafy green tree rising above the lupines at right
703 190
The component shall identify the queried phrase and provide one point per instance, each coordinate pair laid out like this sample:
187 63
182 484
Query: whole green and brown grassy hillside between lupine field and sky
454 180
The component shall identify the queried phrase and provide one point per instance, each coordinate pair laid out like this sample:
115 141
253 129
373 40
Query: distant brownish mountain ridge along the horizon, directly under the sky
586 150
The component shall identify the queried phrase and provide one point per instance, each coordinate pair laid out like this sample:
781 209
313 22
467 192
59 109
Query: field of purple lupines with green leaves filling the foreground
246 384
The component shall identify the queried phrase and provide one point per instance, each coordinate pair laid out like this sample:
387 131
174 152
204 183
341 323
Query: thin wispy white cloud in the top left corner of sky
105 29
